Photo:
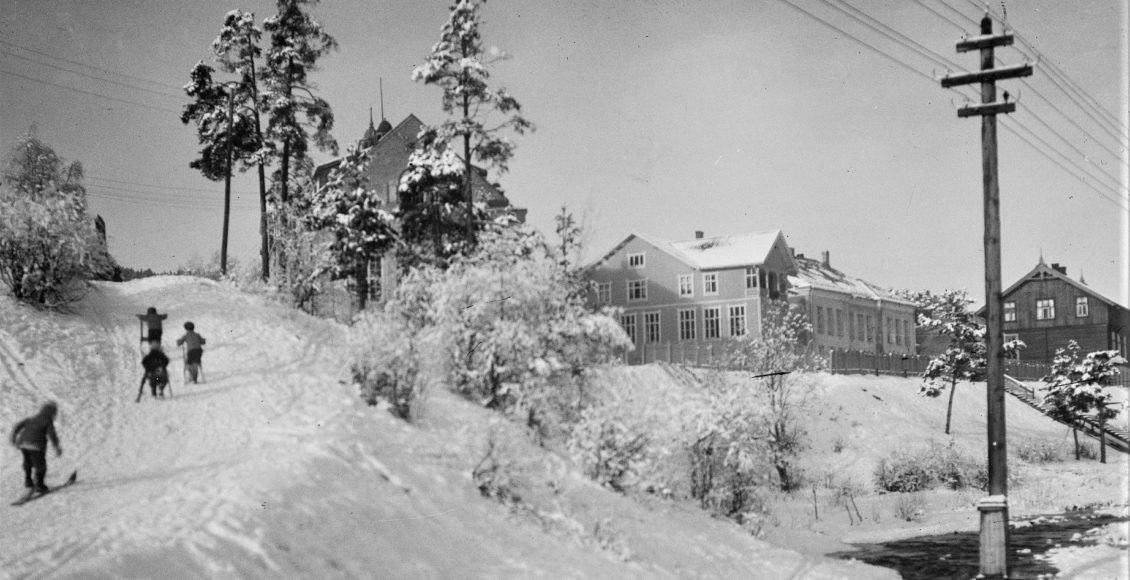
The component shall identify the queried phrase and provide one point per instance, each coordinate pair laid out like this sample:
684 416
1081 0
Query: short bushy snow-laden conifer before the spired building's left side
350 210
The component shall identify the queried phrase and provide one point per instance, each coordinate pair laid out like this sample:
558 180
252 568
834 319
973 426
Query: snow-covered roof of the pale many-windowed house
711 254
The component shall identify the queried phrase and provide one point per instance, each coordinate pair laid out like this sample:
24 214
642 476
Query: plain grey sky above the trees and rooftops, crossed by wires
658 117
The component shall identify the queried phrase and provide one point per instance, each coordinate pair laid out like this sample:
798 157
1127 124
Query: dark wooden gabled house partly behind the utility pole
1046 309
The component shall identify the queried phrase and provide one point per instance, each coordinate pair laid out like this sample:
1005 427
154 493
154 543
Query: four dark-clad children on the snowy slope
32 435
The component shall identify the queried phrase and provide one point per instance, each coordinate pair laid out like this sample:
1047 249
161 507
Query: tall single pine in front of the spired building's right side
477 115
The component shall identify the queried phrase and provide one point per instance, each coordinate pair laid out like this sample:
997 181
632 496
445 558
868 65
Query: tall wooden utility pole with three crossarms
995 508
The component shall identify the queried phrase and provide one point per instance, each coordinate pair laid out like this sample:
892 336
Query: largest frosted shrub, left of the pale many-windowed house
514 331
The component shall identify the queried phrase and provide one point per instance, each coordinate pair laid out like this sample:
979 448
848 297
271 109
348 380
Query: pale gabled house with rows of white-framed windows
692 292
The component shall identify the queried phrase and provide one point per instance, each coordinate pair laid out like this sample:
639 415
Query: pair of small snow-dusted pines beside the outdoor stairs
1077 388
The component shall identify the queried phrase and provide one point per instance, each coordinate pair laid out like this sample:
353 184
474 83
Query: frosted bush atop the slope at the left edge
49 247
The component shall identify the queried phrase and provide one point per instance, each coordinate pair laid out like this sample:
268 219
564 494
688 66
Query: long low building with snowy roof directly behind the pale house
850 314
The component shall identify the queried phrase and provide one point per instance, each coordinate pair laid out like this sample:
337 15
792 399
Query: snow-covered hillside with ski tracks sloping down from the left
274 469
